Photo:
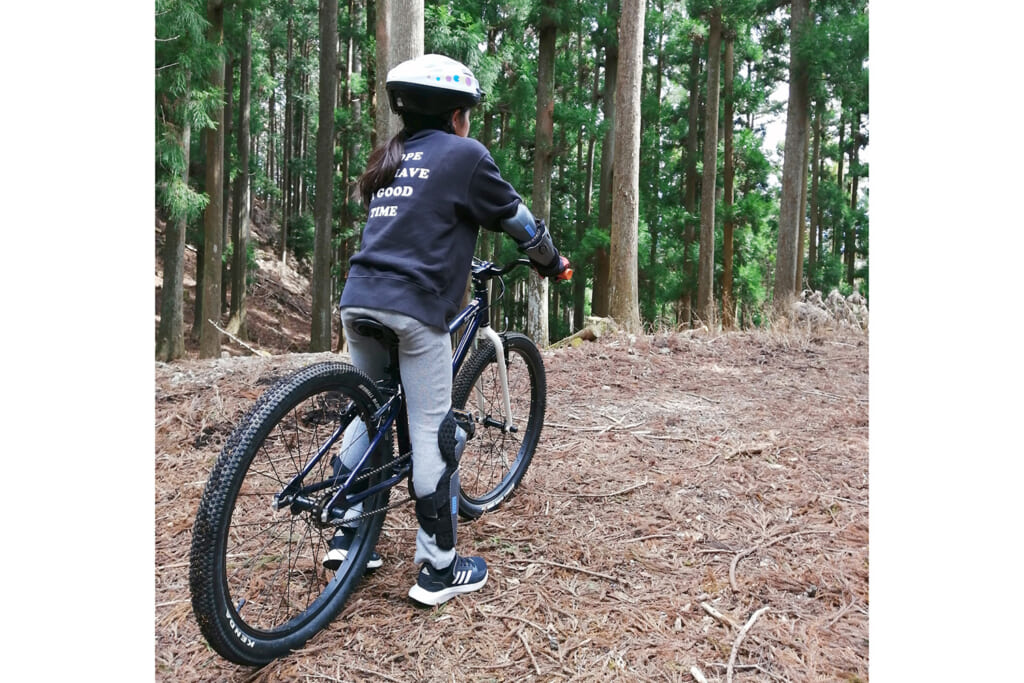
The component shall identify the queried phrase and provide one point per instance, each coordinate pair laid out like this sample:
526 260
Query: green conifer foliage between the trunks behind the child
500 42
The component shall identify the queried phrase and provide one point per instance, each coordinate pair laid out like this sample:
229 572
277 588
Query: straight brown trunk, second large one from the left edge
209 340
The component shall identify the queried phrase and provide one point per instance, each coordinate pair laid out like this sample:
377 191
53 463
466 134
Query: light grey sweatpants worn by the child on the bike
425 358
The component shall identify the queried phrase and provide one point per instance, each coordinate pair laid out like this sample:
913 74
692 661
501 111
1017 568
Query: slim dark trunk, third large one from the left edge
243 198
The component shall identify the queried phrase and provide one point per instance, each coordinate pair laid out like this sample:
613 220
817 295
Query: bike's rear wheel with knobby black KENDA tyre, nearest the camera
260 589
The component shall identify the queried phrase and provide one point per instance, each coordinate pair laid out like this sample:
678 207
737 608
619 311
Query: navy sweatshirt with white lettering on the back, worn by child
419 239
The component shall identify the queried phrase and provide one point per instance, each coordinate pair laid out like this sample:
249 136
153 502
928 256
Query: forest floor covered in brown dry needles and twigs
698 502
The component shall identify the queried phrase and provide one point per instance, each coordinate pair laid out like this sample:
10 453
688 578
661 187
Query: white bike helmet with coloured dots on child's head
433 84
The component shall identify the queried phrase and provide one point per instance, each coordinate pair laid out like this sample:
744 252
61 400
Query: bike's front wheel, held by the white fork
496 459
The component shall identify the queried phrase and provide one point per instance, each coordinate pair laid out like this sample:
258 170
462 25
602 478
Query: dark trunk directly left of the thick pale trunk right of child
601 302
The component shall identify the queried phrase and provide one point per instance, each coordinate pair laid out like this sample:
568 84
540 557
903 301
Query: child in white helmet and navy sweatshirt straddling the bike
429 190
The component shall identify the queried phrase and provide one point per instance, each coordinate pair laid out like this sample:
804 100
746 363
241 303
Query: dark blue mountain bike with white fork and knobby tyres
275 496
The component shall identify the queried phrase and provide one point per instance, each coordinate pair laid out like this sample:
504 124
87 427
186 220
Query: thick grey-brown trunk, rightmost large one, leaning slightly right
793 166
